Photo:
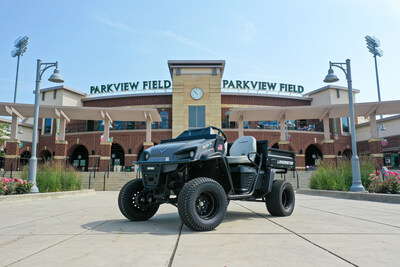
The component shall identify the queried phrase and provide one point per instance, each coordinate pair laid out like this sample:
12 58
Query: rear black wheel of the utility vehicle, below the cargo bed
281 200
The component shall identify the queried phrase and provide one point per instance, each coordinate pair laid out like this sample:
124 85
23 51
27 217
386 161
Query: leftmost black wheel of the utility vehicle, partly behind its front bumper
134 202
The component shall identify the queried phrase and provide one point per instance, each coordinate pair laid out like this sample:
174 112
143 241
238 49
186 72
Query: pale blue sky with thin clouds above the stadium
100 42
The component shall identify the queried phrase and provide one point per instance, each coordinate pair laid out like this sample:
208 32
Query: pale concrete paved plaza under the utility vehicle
90 231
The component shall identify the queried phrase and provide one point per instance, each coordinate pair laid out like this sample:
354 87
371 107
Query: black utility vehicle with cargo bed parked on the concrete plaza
197 173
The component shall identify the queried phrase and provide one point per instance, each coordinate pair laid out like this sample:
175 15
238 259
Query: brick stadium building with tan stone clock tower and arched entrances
96 131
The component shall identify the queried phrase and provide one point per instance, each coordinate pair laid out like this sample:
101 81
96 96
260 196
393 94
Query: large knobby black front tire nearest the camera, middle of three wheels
202 204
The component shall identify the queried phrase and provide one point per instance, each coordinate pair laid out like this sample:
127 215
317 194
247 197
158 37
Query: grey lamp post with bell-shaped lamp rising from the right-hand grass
355 163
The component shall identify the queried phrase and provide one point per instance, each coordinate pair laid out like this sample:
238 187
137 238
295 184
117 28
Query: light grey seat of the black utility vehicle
240 150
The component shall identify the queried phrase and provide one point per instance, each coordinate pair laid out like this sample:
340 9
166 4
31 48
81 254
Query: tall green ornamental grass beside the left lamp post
55 177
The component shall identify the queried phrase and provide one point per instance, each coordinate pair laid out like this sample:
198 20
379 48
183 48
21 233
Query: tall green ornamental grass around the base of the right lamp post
340 177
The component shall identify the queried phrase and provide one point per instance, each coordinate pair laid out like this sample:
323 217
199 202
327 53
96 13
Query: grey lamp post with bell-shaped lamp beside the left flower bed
55 77
